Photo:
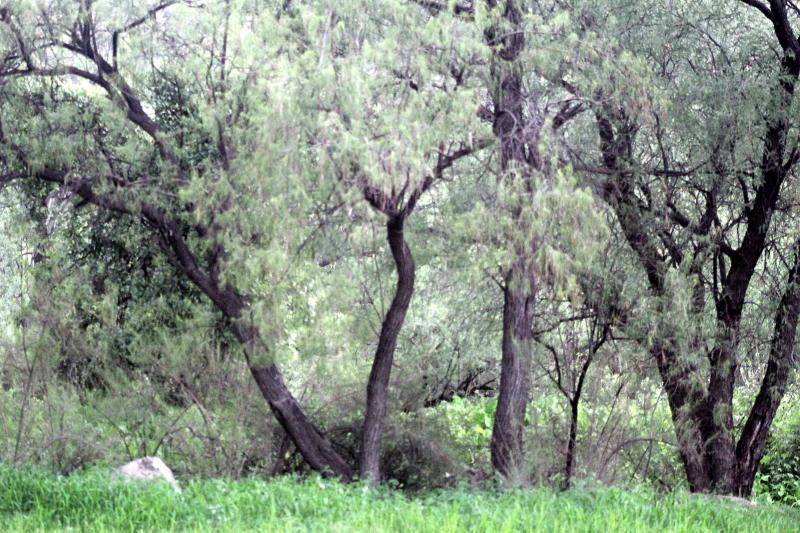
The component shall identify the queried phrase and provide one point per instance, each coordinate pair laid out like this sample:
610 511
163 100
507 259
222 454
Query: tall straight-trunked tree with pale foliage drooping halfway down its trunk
547 211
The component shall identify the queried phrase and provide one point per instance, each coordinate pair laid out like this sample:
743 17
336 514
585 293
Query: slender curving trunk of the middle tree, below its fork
378 385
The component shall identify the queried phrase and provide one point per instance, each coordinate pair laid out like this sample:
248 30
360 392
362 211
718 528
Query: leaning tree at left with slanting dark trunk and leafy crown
89 43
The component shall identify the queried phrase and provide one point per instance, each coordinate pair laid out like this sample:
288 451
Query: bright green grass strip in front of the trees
34 501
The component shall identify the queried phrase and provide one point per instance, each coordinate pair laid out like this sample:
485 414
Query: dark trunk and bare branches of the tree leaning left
169 231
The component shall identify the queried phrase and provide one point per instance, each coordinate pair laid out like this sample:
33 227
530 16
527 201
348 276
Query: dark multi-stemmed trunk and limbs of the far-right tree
702 413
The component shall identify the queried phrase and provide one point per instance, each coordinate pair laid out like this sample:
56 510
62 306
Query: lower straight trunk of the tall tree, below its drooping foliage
518 315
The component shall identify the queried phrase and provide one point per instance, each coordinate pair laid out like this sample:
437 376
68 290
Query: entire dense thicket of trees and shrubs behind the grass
559 227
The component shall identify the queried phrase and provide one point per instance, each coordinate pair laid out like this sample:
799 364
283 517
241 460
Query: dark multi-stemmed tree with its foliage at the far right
716 251
